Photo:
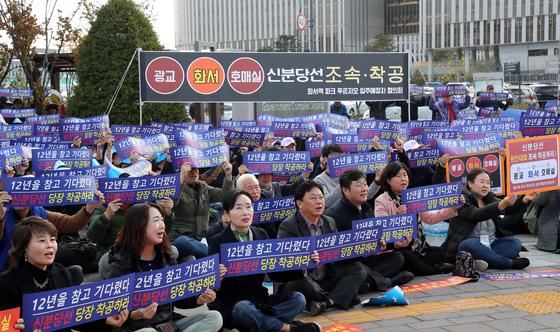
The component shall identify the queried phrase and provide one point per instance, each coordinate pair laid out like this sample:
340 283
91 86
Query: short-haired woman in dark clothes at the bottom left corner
34 250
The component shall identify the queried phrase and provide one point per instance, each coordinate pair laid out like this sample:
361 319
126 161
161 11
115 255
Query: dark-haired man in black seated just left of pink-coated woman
382 269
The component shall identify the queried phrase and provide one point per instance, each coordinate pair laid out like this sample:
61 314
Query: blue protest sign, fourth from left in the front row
349 244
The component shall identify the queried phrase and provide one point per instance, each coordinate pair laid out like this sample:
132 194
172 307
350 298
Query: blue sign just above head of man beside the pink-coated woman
366 162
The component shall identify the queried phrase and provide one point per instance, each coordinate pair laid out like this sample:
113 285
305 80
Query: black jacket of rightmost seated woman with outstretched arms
469 215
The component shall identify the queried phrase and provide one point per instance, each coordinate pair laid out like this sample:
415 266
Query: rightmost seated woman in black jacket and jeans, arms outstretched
476 229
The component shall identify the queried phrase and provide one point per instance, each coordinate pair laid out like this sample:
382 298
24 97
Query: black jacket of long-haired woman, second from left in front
126 263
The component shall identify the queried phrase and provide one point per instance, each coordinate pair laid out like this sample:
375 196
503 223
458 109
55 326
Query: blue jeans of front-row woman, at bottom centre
245 314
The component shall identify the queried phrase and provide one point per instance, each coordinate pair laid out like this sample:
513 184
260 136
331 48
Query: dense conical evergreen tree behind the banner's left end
119 28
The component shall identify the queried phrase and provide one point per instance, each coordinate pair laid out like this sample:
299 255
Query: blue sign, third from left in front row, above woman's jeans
264 256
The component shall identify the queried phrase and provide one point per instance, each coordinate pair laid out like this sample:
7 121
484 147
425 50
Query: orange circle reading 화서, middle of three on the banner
205 75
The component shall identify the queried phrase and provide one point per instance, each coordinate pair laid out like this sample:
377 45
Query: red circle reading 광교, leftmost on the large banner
164 75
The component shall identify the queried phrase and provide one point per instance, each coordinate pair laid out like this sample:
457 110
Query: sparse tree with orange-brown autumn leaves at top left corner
23 29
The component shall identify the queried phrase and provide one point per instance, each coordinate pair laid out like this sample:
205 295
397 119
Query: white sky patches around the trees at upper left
163 14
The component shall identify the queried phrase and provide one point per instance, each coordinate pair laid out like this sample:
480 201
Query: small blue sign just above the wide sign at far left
72 158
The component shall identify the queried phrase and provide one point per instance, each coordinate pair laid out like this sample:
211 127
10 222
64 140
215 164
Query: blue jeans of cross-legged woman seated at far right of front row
499 254
